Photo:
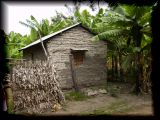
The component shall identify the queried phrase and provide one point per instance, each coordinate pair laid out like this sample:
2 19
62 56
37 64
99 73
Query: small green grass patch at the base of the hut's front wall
77 96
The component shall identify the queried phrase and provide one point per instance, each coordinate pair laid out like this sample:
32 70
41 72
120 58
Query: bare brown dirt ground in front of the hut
105 104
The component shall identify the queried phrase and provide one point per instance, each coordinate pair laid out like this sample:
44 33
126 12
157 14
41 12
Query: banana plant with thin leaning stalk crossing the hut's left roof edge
38 30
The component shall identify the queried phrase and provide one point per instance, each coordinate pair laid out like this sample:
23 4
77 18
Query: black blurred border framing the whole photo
155 77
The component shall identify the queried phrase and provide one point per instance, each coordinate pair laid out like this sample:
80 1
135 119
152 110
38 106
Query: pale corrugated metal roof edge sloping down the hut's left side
48 36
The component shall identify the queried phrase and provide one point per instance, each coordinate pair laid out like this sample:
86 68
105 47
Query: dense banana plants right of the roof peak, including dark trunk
127 29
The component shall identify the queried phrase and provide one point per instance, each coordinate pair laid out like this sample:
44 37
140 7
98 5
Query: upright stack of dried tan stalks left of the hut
35 87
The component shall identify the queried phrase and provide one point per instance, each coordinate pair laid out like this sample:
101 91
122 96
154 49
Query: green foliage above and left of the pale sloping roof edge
16 41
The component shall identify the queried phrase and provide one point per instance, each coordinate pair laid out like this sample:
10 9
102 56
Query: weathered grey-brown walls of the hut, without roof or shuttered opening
93 69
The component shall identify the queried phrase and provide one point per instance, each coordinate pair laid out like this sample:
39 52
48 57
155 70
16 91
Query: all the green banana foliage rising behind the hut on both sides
126 28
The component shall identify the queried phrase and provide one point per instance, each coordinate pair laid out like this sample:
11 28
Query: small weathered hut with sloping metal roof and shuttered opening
74 55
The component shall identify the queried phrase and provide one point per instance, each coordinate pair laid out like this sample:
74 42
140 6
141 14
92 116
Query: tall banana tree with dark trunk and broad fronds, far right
133 23
